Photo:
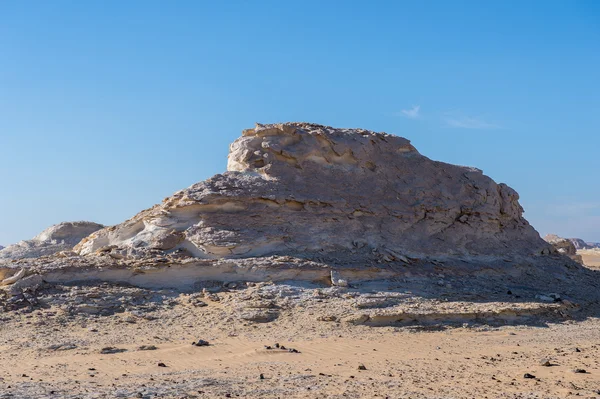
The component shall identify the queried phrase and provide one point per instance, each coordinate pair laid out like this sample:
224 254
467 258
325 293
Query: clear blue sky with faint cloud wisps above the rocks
108 107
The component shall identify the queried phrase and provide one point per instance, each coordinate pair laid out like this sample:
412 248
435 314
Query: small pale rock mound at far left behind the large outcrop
60 237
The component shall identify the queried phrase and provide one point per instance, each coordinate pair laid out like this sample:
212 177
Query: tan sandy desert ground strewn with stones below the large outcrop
138 344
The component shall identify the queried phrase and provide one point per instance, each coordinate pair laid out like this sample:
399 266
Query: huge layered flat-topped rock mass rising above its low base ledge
308 190
